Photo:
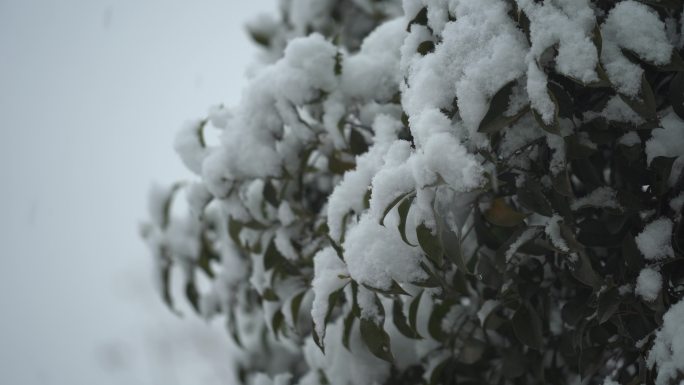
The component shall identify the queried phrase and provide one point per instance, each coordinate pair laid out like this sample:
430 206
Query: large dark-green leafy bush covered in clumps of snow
444 191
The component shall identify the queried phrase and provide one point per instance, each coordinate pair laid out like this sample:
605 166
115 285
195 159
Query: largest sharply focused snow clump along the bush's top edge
480 52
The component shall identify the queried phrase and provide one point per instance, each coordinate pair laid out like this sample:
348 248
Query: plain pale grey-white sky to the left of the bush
91 93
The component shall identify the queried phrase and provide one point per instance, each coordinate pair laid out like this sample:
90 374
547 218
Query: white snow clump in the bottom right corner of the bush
667 352
